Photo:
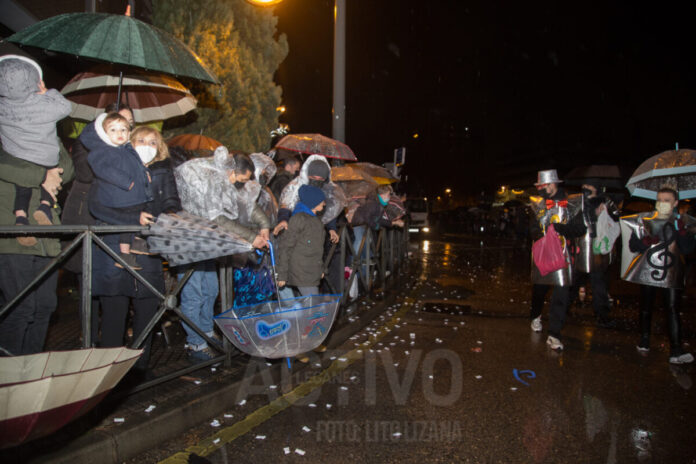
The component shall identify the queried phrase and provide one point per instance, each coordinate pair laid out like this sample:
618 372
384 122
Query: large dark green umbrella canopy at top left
115 39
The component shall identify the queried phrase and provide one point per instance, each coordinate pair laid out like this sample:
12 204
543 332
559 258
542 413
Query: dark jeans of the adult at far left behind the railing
23 327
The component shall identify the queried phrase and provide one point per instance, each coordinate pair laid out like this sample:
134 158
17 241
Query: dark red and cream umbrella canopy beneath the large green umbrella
152 97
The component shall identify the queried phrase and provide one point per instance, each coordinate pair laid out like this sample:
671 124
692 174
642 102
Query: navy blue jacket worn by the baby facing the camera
115 169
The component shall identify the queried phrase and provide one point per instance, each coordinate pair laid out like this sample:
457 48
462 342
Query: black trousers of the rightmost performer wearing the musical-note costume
670 298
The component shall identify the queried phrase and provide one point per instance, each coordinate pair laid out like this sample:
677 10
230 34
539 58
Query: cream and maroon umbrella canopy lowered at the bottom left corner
42 392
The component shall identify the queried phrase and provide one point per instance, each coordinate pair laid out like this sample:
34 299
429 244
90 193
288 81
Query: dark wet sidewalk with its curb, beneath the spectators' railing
123 426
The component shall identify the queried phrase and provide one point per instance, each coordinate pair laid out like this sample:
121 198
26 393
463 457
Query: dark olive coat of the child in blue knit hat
300 251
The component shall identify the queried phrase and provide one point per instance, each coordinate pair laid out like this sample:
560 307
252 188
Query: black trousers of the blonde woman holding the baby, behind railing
114 315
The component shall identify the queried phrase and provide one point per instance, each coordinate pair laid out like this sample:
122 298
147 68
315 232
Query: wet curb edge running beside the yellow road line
144 432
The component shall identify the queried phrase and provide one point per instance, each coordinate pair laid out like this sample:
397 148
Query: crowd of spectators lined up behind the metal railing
124 175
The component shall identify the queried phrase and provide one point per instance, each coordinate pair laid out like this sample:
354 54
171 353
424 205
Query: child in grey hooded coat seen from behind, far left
28 116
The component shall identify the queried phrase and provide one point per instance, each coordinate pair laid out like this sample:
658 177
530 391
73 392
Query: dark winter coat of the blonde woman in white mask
109 280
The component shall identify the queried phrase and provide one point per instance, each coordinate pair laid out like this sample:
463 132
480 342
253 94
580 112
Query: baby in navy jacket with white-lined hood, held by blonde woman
121 188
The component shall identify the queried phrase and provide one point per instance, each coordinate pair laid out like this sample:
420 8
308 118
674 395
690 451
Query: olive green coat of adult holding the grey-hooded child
13 172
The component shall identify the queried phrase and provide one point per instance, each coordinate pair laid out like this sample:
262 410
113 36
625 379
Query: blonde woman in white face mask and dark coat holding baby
115 286
